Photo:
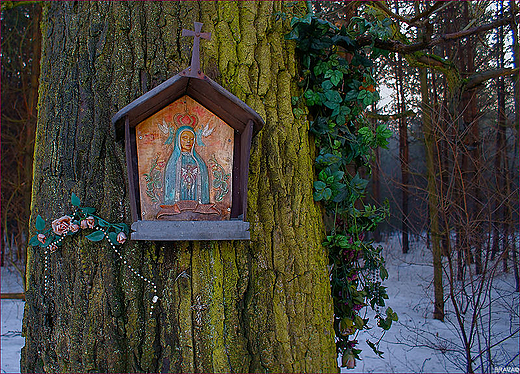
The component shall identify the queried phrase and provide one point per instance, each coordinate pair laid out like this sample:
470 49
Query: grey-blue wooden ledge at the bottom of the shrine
190 230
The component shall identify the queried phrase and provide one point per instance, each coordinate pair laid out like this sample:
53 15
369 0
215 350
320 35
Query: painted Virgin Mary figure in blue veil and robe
186 174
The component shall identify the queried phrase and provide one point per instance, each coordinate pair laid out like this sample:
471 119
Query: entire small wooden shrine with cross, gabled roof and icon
187 145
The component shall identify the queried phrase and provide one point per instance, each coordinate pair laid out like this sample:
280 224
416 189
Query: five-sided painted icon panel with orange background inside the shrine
185 158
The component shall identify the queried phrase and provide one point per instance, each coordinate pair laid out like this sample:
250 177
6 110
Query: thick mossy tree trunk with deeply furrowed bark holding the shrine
257 306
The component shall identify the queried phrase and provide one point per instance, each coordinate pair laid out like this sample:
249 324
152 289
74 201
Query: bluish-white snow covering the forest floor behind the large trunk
415 344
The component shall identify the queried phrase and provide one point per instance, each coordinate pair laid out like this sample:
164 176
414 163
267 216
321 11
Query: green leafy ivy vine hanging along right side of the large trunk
338 85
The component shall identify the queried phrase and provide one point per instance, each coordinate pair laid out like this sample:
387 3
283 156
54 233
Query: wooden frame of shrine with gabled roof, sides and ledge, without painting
245 122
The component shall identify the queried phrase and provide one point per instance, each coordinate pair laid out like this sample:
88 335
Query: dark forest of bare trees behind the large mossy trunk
450 173
